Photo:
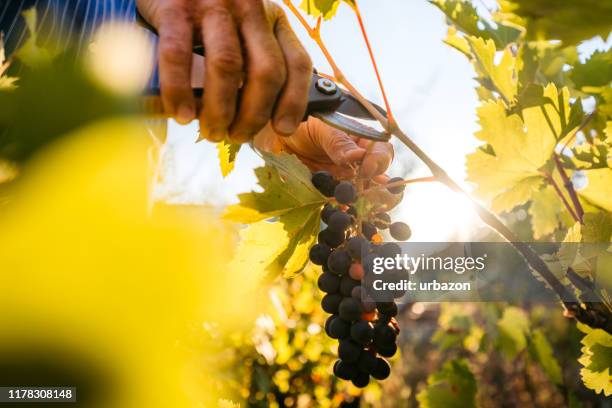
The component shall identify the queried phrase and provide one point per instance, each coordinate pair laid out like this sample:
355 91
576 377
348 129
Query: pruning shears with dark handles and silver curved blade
326 101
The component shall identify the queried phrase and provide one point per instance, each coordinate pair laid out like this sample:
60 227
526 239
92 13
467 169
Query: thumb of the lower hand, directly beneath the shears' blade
341 148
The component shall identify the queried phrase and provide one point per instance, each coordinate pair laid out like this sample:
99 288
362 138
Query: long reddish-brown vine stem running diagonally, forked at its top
587 313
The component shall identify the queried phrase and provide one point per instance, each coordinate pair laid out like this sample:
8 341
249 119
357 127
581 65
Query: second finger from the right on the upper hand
266 71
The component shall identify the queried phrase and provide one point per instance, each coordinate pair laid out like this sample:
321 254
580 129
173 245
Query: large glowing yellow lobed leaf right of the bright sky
509 172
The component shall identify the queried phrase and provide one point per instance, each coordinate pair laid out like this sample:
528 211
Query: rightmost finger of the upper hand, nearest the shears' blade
291 105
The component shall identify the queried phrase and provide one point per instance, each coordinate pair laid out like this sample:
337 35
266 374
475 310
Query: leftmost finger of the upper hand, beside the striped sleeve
175 36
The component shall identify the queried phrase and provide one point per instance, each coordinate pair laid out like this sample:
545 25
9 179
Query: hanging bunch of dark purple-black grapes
366 330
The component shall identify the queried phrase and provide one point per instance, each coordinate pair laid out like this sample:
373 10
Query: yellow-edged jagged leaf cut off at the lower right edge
596 360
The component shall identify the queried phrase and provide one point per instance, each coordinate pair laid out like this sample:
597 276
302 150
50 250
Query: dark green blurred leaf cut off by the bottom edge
454 386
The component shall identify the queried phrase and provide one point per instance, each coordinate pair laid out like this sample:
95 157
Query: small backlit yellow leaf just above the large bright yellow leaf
501 76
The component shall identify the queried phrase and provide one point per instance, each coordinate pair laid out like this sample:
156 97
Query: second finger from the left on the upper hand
224 67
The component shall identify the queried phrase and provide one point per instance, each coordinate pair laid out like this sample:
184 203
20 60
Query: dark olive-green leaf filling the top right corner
568 21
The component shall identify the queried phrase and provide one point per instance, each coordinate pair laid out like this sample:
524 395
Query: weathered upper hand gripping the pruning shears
249 46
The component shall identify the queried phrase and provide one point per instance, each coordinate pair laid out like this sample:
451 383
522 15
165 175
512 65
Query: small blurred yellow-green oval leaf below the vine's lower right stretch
513 328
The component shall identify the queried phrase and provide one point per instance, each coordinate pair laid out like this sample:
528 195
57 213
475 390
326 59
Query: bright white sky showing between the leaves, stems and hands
431 90
